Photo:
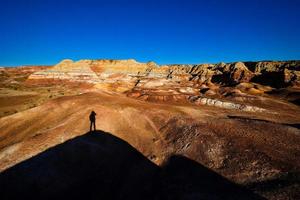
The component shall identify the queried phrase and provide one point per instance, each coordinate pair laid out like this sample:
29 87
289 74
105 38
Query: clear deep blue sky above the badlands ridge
175 31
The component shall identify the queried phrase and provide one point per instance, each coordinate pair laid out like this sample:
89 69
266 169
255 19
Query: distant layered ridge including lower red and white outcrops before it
151 82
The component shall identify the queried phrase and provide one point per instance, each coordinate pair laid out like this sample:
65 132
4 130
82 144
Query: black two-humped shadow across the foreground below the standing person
98 165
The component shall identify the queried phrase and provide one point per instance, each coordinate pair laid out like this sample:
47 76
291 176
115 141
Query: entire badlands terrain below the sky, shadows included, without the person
206 131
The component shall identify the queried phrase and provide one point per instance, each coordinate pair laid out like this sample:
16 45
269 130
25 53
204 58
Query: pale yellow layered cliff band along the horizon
276 74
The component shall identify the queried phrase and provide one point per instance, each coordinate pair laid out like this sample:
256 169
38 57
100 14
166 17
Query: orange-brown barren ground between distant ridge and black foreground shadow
258 150
